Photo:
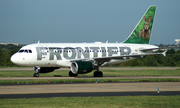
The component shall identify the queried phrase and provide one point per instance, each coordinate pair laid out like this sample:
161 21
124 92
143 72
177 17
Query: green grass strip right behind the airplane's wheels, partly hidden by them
105 73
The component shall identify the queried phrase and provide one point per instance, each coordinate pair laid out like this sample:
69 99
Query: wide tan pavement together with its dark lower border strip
94 89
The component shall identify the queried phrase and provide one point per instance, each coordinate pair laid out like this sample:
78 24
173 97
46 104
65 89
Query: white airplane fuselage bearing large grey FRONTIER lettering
62 54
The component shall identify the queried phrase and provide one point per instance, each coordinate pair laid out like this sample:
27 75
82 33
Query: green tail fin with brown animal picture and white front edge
142 31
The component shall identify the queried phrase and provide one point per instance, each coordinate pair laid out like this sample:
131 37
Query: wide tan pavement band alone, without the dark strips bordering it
90 87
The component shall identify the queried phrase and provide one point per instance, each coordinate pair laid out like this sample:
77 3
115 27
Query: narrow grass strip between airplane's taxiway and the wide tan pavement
86 81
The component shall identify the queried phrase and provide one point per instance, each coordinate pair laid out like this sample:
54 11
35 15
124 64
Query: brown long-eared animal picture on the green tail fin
145 32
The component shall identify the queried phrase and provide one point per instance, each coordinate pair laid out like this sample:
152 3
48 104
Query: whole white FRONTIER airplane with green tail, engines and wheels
83 58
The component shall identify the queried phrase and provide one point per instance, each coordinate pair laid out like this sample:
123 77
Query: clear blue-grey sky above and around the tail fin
75 21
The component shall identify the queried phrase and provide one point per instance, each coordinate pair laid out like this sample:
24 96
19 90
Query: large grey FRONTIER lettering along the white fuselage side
56 53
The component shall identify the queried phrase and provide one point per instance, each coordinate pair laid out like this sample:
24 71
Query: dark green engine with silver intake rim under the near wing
81 67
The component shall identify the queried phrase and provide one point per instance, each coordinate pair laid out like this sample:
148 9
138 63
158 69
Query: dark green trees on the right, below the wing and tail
172 58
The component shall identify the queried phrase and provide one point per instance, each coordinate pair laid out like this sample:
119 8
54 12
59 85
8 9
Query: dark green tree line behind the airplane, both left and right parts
172 58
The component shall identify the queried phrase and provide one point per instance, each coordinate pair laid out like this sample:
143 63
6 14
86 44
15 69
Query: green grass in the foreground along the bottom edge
94 102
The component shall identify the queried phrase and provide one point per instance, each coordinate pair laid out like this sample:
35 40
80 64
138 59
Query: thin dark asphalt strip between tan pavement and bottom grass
48 95
